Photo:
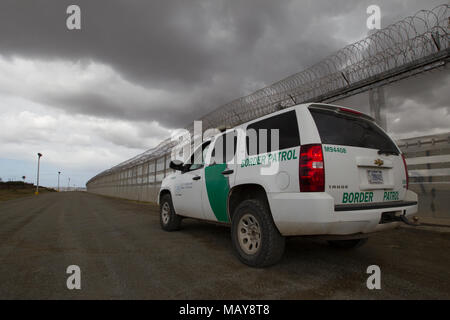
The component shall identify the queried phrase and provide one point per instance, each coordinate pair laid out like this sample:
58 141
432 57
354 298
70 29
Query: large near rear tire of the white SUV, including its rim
264 245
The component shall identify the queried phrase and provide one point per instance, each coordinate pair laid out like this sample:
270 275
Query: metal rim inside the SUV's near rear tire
249 234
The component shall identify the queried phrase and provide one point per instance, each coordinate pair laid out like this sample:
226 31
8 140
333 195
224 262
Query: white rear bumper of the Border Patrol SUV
316 214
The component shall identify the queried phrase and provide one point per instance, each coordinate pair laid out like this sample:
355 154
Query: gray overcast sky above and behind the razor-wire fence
90 99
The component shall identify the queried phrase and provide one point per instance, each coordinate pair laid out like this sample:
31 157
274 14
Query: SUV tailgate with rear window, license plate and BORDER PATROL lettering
362 163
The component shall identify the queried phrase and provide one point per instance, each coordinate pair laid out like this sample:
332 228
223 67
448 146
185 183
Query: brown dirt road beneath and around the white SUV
123 254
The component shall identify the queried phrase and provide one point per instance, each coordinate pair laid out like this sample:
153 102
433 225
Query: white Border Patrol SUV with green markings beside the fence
333 172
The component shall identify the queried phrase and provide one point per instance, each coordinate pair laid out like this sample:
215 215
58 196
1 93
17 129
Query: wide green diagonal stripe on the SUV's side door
217 187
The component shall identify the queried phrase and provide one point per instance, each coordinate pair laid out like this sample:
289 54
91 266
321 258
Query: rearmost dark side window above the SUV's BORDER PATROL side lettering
260 133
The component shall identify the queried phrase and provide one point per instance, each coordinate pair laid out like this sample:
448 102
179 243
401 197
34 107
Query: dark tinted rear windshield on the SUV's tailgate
347 130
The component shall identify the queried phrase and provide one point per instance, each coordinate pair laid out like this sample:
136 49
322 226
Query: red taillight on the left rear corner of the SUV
311 168
